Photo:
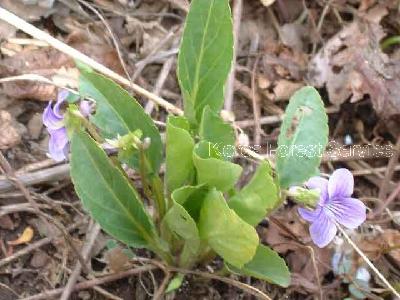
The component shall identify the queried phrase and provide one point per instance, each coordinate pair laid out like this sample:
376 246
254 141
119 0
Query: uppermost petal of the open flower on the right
341 184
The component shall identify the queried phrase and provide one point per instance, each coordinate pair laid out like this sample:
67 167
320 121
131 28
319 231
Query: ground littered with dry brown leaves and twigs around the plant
339 46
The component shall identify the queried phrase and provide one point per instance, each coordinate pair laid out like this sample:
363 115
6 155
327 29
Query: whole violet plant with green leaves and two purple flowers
198 210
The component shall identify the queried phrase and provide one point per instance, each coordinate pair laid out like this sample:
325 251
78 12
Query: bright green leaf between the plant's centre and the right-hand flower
254 201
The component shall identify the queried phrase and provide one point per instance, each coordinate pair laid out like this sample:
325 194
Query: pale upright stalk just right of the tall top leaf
230 85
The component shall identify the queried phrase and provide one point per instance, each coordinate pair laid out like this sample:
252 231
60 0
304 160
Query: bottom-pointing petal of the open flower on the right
323 230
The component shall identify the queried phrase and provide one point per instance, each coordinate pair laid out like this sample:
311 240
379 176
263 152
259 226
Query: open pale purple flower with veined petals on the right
335 206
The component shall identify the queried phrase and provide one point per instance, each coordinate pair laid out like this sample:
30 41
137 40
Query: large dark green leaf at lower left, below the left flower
106 193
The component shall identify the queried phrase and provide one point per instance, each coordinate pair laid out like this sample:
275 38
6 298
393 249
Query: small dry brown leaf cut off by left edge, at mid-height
9 135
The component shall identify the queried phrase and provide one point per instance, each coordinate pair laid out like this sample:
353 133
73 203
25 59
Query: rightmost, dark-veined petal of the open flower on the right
349 212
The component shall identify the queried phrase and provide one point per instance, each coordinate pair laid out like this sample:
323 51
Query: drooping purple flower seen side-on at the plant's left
53 119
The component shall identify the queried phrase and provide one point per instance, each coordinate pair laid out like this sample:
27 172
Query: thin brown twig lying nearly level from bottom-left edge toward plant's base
93 282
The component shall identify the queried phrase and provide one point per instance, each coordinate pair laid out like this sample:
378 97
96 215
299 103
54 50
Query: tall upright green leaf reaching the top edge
205 56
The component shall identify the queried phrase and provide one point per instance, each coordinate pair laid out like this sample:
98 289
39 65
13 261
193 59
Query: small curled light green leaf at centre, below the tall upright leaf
213 171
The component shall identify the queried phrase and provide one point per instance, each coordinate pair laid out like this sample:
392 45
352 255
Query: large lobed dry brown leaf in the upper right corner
352 65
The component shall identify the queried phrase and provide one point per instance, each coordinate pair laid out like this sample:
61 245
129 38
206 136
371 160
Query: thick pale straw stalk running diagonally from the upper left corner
21 24
